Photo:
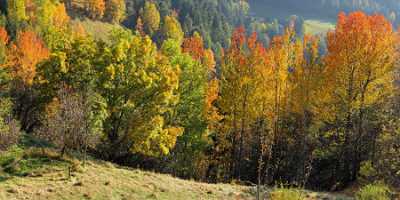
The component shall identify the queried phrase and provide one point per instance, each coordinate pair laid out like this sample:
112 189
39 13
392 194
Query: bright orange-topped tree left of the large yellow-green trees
23 56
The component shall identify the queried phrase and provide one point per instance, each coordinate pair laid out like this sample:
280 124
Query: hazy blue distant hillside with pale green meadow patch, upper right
320 15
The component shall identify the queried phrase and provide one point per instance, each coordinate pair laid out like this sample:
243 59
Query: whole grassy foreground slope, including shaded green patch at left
42 174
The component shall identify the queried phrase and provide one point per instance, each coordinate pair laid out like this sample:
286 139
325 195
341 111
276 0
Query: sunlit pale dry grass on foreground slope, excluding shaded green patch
99 180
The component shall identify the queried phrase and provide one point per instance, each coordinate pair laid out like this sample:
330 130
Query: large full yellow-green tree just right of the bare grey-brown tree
139 85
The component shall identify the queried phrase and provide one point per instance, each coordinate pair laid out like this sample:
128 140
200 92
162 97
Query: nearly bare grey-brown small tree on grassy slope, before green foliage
72 121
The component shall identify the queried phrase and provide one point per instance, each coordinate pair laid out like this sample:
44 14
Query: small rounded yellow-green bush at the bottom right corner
374 192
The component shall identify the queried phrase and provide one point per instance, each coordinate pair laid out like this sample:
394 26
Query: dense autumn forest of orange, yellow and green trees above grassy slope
203 90
